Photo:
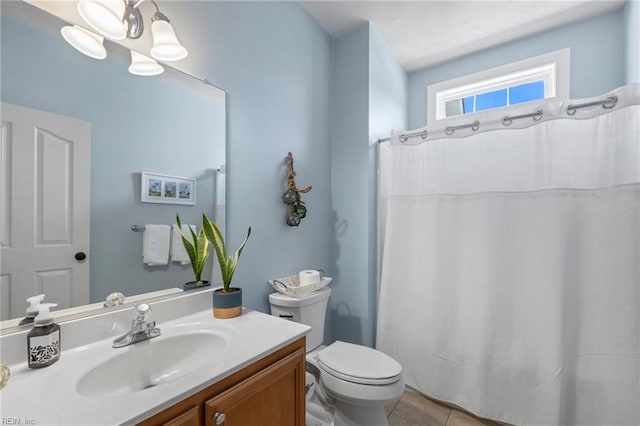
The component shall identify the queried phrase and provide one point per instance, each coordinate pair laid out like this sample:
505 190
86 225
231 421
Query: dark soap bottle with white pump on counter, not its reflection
43 341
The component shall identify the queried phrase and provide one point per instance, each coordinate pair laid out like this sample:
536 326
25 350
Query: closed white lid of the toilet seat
359 364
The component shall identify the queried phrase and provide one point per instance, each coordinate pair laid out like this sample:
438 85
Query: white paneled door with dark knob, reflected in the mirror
44 189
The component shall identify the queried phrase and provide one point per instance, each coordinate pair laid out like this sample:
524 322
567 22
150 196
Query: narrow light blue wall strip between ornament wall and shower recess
350 306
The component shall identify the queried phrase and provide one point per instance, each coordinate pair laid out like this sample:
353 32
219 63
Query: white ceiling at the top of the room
428 32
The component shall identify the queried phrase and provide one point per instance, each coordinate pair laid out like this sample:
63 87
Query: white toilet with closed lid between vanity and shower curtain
347 384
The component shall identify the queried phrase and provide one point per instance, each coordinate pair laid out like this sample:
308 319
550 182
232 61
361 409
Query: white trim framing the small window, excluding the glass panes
551 67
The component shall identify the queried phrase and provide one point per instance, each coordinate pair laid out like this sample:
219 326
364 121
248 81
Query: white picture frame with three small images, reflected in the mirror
166 189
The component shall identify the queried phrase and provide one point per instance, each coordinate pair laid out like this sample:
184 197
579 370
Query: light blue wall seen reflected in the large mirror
172 131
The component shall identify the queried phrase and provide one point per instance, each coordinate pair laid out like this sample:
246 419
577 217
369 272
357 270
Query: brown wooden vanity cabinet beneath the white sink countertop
268 392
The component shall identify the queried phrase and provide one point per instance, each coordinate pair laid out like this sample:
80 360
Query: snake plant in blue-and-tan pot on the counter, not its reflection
227 301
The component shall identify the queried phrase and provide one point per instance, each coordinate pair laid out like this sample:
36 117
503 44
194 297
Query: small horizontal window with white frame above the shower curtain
535 79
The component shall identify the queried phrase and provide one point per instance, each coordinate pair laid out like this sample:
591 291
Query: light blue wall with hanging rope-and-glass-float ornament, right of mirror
274 63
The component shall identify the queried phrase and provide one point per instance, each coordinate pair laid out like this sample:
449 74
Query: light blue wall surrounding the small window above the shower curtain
597 60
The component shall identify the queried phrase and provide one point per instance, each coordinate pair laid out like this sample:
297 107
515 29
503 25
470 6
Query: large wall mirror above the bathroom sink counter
172 124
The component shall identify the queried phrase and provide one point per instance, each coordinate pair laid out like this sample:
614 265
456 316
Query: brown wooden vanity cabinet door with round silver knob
273 396
